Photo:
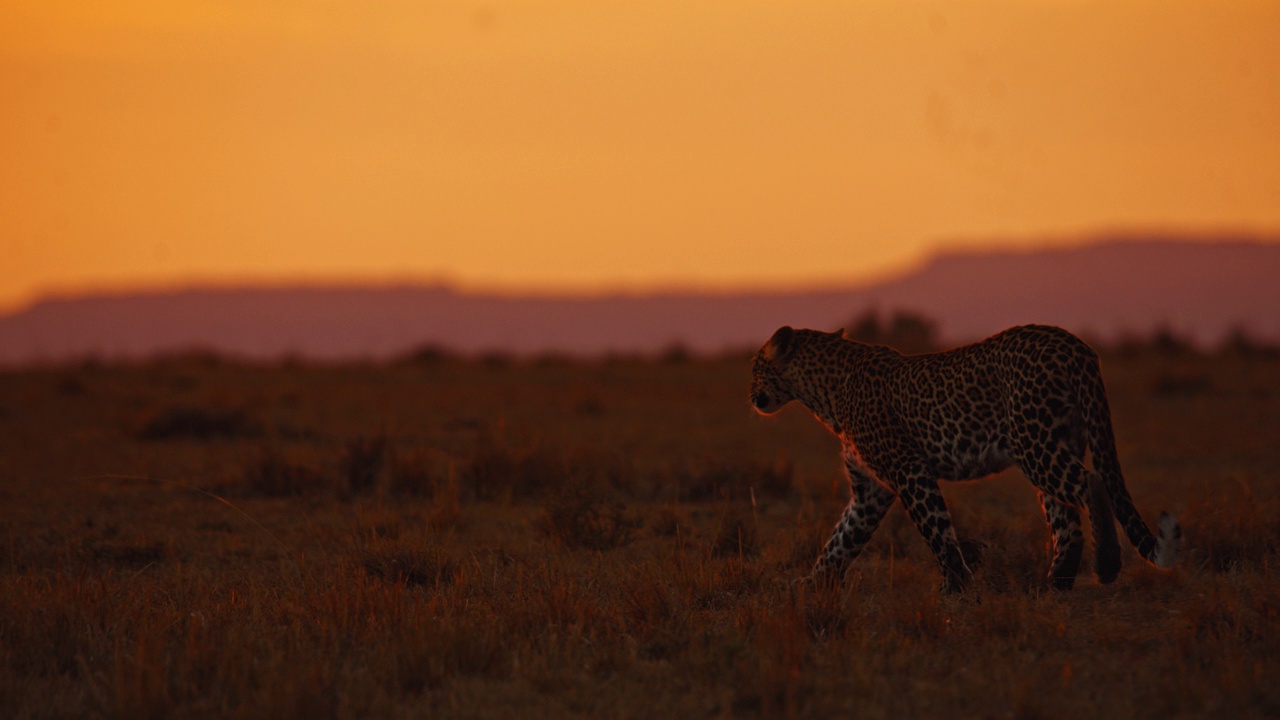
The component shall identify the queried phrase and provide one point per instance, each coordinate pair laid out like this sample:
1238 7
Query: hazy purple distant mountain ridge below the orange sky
1201 290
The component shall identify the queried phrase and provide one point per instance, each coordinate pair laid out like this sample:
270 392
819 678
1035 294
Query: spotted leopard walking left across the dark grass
1031 397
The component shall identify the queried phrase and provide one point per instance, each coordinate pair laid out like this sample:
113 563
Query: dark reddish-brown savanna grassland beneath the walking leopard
491 539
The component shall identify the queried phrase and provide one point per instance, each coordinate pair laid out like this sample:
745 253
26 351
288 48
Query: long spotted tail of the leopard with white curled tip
1160 552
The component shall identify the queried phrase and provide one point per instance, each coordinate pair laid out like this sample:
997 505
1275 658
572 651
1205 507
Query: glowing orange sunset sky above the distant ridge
584 144
